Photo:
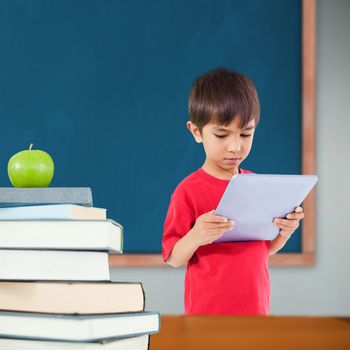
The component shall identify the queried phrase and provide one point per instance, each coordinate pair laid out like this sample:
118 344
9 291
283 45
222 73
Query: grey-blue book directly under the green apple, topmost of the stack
14 197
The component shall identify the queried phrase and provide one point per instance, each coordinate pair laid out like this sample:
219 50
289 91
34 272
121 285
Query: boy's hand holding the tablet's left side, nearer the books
210 227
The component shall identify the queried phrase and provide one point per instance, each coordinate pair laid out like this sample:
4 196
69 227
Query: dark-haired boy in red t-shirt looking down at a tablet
231 277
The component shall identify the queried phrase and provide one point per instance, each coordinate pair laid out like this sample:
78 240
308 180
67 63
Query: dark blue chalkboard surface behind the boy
103 86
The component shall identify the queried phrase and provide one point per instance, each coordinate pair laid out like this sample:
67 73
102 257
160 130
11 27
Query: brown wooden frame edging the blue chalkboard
307 255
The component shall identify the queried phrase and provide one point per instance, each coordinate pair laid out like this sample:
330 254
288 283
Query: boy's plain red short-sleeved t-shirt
221 278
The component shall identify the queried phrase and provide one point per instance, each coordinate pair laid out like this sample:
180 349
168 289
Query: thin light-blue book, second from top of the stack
53 211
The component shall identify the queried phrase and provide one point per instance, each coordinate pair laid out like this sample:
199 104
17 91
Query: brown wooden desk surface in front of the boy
228 332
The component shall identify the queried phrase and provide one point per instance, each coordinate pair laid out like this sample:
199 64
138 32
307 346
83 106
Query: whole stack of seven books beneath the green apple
55 287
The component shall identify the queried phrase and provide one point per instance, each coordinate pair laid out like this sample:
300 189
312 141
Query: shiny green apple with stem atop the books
30 168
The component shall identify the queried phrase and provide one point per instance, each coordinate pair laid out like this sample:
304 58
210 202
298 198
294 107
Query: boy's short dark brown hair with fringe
220 95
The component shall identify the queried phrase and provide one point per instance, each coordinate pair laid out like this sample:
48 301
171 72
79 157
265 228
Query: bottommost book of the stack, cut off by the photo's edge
133 343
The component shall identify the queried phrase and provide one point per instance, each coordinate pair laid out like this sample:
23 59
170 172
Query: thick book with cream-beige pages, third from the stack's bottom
72 297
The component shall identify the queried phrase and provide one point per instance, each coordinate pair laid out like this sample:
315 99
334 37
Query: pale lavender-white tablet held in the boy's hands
254 200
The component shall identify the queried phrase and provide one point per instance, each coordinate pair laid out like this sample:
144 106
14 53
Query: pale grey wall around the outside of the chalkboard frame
325 288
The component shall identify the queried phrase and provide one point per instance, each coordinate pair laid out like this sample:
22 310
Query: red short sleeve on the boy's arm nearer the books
179 220
